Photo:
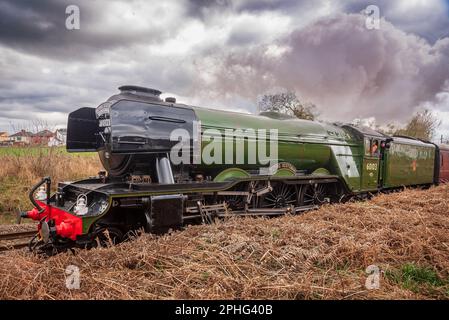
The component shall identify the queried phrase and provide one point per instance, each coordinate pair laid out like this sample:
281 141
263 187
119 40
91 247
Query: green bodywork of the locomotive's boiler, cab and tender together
314 147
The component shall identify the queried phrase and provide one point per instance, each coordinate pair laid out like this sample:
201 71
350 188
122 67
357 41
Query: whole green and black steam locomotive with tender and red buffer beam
143 188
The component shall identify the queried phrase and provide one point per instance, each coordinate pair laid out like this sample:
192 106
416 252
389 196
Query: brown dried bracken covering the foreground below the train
321 254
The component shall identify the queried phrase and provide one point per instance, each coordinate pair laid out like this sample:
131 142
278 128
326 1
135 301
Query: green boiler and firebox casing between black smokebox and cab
307 145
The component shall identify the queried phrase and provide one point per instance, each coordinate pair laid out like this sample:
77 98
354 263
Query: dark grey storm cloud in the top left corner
38 27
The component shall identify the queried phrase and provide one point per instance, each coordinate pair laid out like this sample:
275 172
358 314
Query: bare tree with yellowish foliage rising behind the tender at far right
422 125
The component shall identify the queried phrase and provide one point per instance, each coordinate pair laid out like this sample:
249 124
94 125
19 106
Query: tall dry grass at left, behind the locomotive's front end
21 168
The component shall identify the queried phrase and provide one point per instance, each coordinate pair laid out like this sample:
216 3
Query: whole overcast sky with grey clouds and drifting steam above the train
226 54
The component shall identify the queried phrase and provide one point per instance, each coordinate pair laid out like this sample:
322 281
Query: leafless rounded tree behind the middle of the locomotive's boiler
288 103
